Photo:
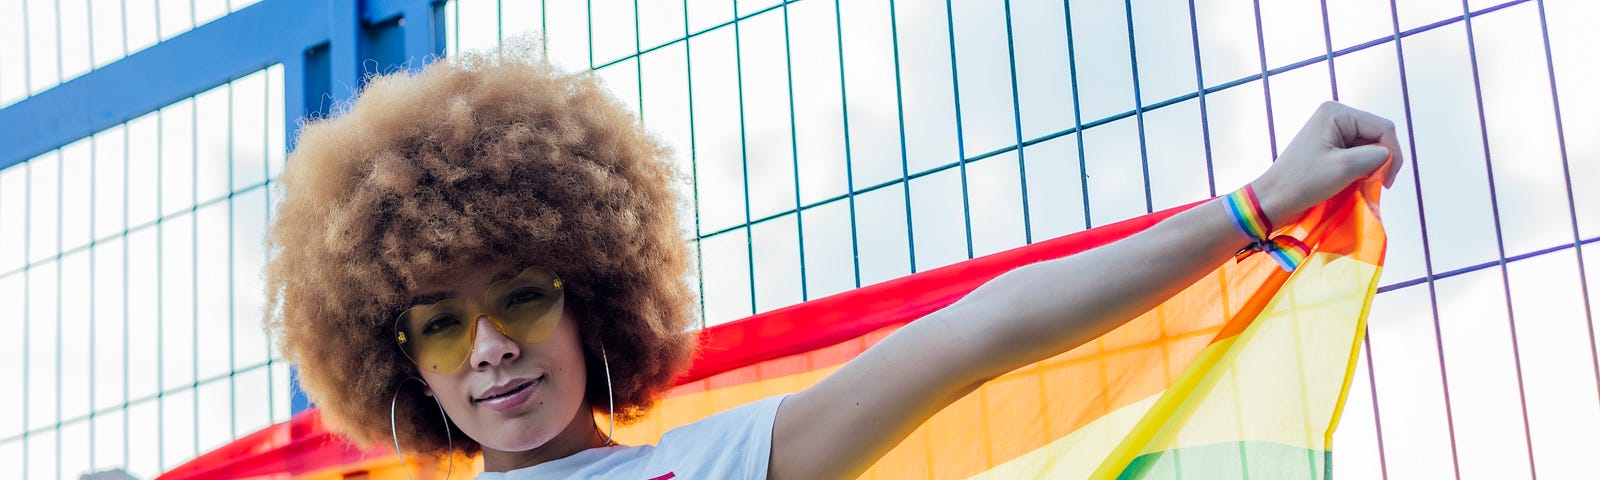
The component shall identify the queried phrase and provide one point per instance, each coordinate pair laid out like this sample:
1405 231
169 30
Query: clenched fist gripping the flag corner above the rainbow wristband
1337 148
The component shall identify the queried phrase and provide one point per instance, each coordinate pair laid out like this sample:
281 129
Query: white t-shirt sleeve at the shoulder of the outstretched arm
735 444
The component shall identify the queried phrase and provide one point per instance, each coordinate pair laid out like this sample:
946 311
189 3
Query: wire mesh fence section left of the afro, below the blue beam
134 260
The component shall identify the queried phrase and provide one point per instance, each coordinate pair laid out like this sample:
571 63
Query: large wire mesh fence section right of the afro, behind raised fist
834 145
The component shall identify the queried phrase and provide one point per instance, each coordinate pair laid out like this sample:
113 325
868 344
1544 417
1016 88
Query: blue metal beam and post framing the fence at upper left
327 50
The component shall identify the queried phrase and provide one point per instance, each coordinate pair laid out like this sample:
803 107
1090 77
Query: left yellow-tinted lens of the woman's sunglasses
436 337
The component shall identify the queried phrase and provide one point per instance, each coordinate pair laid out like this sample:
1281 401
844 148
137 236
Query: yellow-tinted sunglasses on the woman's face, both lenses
439 337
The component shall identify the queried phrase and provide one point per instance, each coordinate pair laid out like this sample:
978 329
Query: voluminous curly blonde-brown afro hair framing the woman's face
481 158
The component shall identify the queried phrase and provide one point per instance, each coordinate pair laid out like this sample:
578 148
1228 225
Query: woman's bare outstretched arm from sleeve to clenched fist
838 428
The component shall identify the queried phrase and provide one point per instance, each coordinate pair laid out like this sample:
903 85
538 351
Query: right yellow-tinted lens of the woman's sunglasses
529 306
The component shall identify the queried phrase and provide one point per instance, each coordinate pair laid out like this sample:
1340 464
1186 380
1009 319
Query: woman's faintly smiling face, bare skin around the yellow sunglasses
508 396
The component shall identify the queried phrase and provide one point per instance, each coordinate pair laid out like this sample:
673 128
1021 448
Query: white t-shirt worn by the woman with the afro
735 444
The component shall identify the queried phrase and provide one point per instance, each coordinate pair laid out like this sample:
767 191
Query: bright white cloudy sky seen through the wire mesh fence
804 162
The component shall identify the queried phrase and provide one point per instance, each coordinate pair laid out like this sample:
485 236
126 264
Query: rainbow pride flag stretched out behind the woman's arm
1241 375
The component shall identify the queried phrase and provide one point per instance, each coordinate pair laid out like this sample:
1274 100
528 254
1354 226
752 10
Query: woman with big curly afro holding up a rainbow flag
481 257
